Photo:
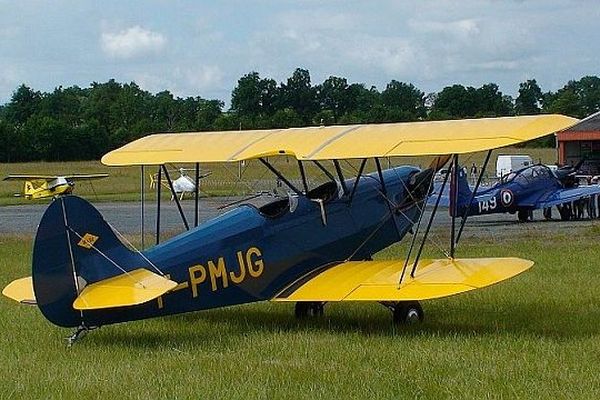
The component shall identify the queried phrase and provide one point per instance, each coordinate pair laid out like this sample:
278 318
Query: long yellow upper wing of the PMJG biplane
339 142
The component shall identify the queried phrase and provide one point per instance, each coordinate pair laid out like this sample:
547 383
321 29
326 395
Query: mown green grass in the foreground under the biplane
535 336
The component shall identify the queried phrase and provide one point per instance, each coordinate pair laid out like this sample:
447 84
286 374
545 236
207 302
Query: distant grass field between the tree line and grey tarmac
124 183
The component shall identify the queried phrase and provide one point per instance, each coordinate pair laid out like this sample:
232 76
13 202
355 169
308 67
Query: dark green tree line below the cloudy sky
84 123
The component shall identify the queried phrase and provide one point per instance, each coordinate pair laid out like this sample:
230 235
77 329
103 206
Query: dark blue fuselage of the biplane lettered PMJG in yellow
250 254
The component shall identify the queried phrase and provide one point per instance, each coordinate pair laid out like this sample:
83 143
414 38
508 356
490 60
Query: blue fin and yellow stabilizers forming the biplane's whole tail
80 265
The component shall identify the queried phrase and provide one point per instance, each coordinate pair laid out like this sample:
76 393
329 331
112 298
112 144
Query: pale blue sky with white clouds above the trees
201 48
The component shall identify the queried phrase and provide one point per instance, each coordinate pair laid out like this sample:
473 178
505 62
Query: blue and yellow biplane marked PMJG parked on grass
311 247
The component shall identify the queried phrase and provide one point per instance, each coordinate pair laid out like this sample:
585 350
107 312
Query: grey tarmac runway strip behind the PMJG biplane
126 217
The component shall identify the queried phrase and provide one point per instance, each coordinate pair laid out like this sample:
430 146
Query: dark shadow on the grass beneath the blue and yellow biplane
522 319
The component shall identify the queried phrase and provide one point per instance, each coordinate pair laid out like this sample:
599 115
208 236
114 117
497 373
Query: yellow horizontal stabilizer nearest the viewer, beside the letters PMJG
128 289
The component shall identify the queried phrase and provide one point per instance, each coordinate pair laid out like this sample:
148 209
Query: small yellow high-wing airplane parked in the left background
45 186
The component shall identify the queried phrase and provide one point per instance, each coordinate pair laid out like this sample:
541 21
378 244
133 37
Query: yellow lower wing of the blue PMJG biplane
378 280
